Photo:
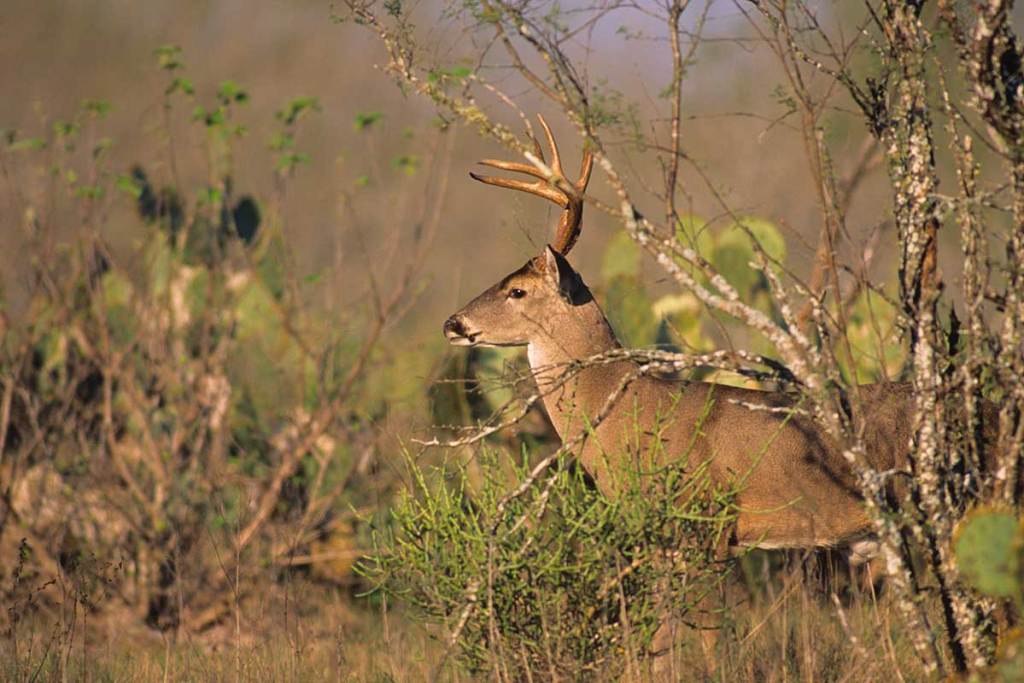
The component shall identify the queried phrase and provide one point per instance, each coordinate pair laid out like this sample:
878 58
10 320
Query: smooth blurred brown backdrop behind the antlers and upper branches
58 54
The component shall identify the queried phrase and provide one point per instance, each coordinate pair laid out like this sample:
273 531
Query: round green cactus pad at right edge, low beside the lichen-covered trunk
988 546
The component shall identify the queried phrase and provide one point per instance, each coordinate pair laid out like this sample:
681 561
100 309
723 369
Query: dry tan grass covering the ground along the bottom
788 629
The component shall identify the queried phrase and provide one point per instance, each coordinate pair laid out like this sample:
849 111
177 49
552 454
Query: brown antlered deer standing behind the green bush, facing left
798 492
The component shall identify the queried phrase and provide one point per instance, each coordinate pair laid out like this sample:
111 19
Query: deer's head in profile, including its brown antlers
544 294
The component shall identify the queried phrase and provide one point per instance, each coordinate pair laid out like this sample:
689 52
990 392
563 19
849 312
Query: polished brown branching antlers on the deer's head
549 189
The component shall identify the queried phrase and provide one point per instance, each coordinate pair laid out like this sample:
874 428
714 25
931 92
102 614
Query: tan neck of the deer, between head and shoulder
573 397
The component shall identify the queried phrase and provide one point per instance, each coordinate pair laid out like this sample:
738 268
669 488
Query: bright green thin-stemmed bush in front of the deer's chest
562 576
